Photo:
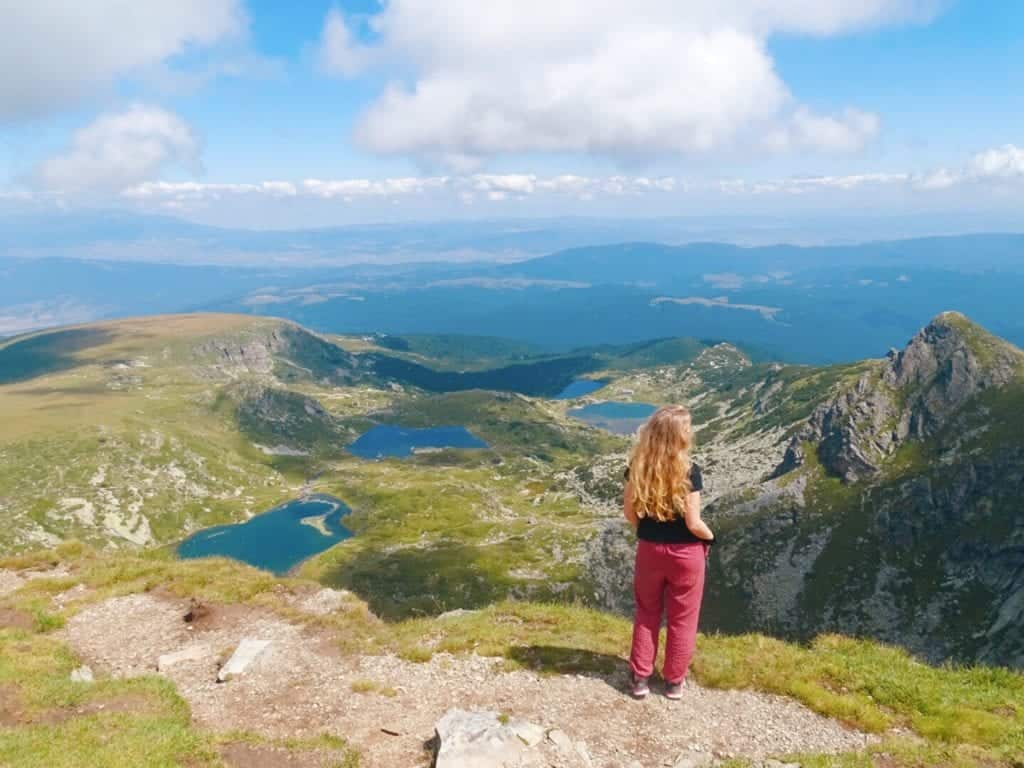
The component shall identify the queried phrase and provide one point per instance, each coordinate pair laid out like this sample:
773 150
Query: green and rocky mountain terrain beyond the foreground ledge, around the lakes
874 499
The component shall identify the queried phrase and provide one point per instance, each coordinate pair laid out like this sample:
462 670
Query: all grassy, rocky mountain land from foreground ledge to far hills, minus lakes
877 499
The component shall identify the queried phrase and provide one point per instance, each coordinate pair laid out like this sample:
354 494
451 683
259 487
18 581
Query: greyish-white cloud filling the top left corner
56 53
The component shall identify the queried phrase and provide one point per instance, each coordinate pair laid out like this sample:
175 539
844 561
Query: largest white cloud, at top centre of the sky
623 78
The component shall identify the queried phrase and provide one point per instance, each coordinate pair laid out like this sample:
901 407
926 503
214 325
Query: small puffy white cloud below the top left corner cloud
121 150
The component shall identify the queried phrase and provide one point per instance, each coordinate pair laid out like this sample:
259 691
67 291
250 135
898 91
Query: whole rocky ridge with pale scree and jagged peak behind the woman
890 509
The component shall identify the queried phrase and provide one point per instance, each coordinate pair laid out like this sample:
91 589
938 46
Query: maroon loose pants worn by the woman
669 579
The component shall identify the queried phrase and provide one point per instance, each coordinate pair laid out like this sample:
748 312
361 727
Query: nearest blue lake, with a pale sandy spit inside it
276 541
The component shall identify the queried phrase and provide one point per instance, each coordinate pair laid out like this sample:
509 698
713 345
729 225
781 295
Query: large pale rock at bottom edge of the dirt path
479 740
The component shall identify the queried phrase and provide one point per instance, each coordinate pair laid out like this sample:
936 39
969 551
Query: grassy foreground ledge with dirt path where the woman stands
115 661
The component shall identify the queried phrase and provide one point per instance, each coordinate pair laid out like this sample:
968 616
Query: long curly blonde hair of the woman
660 467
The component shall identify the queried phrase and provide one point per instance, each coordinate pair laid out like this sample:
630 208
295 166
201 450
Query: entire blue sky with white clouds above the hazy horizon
273 114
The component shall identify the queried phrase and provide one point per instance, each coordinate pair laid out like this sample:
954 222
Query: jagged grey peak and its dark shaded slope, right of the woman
926 552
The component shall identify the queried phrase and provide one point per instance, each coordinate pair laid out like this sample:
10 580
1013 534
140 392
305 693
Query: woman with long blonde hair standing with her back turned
663 503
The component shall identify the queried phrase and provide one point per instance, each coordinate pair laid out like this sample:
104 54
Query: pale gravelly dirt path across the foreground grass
301 687
